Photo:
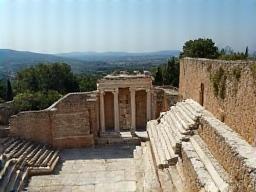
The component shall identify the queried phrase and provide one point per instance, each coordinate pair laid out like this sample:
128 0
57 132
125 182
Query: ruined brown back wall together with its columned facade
122 102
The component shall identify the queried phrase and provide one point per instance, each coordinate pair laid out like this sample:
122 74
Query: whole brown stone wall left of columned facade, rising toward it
70 122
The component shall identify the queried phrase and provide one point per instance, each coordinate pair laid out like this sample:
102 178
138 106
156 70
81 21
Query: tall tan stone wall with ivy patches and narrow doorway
226 88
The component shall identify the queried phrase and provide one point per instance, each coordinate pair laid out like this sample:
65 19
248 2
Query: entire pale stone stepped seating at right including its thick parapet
185 156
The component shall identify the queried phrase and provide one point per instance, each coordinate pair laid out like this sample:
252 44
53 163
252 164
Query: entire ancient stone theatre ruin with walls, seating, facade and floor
132 136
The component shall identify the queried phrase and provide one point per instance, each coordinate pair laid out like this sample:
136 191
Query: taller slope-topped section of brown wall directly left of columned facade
71 125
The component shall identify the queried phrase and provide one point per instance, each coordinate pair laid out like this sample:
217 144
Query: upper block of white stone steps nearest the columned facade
172 128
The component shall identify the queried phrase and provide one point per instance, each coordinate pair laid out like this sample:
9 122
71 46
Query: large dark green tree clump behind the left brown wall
45 77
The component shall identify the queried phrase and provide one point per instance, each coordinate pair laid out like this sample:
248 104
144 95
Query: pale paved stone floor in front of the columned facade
106 168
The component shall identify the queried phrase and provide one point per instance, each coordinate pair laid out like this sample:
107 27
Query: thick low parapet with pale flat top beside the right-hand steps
235 154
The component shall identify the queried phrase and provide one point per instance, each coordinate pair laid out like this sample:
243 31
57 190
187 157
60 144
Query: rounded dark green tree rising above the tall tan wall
200 48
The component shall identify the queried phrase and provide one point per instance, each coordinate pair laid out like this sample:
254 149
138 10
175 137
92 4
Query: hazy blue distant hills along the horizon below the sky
12 61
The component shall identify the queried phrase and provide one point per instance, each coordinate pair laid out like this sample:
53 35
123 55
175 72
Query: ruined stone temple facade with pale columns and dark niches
125 102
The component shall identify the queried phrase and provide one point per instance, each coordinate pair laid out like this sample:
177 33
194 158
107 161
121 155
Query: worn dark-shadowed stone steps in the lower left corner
21 159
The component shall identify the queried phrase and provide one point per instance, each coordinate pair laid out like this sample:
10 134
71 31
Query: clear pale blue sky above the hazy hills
54 26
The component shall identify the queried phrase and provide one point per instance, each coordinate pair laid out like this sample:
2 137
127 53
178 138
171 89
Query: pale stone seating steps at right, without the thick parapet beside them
177 133
